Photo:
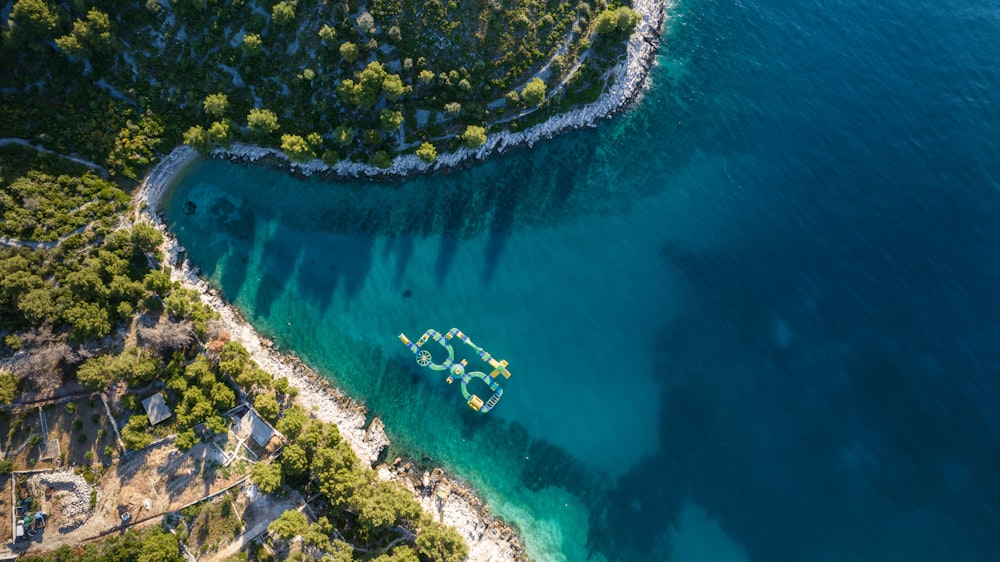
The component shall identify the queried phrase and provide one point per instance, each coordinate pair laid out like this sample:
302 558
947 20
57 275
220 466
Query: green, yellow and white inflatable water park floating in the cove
456 371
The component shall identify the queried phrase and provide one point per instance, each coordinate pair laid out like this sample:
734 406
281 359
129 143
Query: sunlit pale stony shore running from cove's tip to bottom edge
445 498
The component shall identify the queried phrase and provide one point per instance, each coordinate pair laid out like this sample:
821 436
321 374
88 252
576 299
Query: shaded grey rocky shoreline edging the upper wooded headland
631 77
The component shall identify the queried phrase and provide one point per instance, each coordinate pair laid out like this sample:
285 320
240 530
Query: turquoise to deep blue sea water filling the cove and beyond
755 318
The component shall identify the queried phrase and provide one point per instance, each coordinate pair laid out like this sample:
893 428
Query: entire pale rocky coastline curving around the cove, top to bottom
447 499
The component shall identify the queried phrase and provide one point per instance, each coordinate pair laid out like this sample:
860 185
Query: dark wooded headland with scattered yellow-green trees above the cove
115 80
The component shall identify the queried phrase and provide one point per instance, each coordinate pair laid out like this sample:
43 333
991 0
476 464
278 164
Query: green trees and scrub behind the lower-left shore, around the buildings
95 309
